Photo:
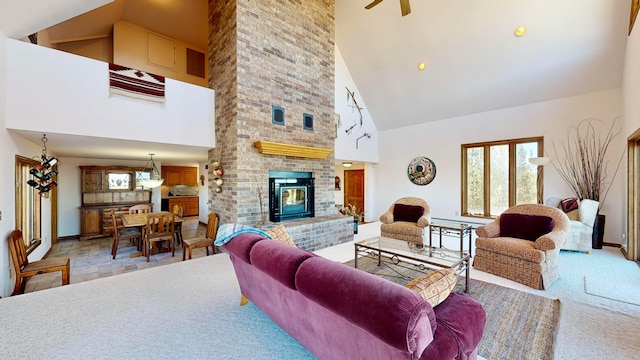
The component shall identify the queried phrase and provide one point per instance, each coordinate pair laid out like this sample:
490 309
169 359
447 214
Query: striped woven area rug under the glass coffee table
519 325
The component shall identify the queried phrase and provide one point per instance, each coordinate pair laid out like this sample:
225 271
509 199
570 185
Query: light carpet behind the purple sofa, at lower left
186 310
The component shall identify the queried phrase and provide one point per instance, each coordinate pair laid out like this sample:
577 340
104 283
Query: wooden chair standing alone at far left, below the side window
25 269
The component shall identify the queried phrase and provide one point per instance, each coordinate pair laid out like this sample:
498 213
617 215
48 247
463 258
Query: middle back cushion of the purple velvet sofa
278 261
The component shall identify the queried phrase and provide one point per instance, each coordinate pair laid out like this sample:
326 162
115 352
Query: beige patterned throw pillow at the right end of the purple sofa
435 286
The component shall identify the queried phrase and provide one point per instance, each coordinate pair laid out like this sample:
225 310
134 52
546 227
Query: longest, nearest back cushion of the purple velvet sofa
389 311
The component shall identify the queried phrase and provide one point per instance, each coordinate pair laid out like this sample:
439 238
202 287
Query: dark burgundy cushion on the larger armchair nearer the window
523 226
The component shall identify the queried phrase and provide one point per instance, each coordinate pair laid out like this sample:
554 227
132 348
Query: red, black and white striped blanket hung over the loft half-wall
135 83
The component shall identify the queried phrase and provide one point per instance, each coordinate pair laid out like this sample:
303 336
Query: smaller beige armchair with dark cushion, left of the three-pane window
406 220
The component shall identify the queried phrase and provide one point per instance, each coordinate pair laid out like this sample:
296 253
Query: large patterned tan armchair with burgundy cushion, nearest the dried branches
532 262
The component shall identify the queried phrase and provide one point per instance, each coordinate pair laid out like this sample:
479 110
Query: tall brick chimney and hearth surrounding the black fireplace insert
278 54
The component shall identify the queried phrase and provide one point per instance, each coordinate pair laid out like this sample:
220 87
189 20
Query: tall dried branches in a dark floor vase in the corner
582 165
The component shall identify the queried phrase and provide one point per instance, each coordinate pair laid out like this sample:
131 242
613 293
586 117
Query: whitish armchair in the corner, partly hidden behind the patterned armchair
582 220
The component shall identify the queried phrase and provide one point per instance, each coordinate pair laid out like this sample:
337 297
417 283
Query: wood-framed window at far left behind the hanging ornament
28 201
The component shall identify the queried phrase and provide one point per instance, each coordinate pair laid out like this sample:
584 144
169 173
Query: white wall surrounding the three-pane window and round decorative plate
441 142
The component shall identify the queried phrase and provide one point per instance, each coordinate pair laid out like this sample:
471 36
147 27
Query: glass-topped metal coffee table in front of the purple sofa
404 255
